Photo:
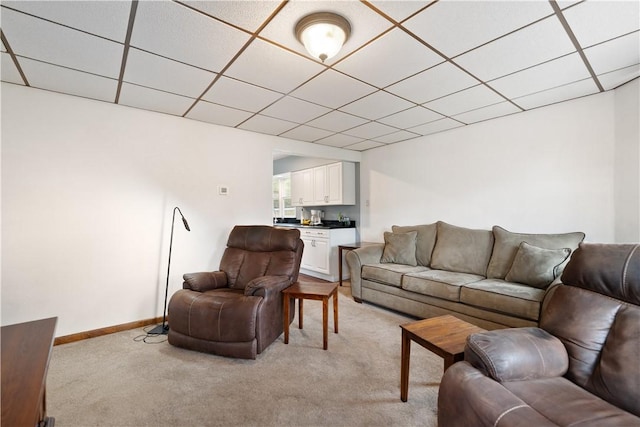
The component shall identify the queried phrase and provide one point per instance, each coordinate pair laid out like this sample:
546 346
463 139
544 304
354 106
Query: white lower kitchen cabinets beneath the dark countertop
320 255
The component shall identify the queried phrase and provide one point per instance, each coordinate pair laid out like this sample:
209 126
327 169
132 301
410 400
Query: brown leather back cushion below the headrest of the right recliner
602 339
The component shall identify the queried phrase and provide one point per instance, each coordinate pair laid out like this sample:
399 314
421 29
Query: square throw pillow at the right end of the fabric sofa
536 266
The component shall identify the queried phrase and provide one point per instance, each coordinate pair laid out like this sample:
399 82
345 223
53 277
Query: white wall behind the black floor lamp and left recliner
88 189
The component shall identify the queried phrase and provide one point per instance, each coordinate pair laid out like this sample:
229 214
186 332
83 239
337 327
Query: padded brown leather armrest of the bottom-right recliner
517 354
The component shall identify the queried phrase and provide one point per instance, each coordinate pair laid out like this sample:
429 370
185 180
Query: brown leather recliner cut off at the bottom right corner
581 367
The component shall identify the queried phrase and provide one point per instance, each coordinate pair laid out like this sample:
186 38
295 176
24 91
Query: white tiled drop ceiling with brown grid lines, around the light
409 69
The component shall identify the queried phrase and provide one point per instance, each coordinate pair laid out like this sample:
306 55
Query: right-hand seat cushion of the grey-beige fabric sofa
505 297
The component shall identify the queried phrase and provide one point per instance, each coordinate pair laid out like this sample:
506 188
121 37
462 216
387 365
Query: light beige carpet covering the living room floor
116 381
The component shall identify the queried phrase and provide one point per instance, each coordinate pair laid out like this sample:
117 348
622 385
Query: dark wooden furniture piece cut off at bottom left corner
26 349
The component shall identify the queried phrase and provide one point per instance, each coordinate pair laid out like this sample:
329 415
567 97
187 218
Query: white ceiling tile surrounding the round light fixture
365 24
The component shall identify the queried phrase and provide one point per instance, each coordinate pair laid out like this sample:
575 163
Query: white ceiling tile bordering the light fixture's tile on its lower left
279 70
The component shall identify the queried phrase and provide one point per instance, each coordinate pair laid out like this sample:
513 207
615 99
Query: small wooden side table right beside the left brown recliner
314 291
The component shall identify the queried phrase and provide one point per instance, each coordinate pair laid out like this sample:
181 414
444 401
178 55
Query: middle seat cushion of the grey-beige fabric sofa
438 283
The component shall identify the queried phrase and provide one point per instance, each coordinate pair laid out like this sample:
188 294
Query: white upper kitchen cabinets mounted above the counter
333 184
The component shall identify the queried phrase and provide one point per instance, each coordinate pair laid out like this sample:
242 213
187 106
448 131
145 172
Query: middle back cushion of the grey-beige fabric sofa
462 249
